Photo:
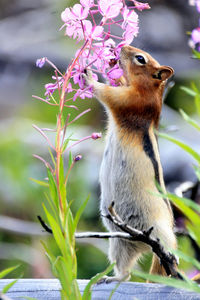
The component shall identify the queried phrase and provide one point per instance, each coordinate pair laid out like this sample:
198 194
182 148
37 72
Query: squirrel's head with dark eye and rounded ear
140 68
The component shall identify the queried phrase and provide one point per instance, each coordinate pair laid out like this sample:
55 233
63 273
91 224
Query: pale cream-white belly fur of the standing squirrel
127 178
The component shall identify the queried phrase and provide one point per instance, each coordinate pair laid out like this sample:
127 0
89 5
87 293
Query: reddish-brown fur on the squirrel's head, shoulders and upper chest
140 103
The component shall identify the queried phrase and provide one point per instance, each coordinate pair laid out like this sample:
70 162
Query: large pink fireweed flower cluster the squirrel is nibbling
95 22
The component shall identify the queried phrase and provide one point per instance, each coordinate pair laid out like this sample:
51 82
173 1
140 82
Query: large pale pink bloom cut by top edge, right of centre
110 8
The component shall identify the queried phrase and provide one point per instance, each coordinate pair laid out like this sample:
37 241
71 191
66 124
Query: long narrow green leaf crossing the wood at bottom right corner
180 284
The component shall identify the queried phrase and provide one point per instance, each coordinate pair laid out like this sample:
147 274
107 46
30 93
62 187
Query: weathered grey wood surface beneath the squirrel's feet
48 289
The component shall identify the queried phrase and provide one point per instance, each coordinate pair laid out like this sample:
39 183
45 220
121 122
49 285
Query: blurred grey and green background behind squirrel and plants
29 29
